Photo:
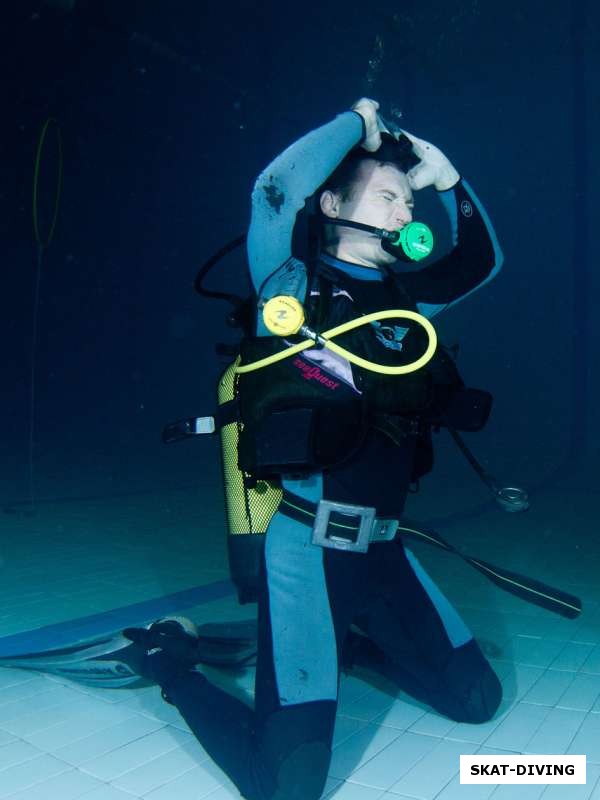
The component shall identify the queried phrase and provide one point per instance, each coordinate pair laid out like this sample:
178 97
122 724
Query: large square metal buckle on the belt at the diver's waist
339 535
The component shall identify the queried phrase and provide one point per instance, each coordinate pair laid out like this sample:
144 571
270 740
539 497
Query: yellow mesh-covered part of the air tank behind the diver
248 510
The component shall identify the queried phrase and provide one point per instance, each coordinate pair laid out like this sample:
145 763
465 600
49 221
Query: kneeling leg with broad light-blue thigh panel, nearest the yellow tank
282 749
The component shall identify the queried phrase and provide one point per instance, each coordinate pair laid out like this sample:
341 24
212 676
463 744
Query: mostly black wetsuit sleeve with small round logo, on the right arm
473 261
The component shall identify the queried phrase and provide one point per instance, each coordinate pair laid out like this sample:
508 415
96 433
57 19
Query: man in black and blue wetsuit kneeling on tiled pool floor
336 586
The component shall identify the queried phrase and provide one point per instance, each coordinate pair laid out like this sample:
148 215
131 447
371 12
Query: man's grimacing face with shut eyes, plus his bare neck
380 196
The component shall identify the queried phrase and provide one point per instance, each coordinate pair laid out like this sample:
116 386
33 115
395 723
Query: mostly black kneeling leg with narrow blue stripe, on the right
416 638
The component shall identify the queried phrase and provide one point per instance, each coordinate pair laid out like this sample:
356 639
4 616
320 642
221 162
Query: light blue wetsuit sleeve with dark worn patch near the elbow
282 189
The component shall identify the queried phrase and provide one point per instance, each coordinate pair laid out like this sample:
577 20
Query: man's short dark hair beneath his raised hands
391 151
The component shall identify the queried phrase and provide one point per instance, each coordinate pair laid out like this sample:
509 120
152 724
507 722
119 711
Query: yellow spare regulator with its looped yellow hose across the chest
286 317
